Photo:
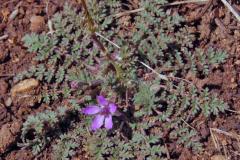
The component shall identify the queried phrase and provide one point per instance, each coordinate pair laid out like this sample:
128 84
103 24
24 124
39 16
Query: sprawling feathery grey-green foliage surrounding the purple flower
74 52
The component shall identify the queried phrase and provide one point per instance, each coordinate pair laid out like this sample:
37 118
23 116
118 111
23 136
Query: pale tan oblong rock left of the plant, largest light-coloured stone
24 86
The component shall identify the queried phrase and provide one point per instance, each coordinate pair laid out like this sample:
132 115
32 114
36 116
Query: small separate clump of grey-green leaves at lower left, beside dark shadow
37 129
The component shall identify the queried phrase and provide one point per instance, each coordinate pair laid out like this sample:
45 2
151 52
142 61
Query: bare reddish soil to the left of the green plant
14 58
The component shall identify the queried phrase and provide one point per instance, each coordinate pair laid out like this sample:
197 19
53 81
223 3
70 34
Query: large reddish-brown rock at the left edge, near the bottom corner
8 134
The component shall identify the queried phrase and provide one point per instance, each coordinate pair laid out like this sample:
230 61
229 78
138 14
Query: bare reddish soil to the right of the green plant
214 23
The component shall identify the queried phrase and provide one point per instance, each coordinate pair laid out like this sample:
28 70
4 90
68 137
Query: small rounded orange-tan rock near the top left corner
37 23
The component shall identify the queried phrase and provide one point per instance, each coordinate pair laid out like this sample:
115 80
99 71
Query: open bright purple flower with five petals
103 113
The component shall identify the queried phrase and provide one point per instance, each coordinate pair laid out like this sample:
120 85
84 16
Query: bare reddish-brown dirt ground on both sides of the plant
212 22
